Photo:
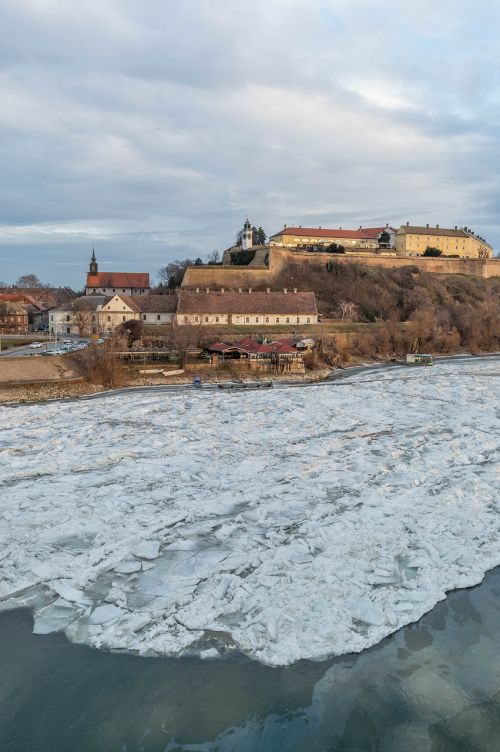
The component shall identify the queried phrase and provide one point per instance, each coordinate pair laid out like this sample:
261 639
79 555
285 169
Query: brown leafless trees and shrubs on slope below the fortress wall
443 312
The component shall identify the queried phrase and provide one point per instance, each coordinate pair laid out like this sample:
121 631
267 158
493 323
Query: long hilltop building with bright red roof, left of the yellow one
367 237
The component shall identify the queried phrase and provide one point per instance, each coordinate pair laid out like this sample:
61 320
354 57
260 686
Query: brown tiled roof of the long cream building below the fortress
247 303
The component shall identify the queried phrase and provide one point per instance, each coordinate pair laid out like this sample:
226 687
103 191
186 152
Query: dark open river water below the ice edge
433 686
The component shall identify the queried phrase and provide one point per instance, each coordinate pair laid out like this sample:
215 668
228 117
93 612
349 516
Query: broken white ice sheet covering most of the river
287 523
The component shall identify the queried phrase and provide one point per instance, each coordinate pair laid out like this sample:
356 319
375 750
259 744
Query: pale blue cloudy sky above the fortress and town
149 129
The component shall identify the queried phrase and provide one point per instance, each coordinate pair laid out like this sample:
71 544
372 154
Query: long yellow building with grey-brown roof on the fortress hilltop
413 241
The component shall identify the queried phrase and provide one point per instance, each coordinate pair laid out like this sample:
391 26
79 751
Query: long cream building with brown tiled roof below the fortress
209 308
